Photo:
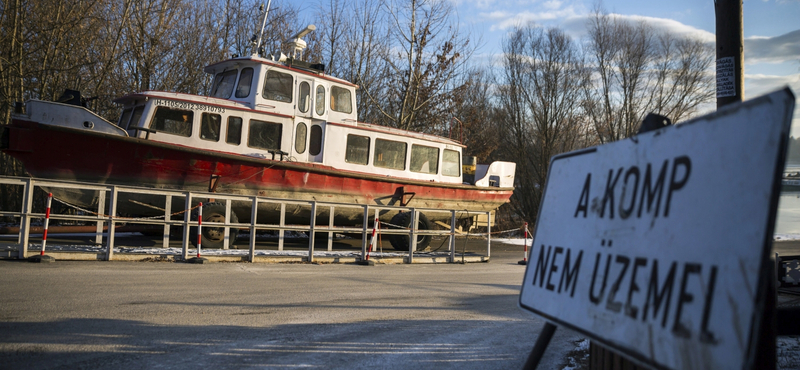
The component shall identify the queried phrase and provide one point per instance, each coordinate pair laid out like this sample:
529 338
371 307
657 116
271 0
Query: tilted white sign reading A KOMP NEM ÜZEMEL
654 245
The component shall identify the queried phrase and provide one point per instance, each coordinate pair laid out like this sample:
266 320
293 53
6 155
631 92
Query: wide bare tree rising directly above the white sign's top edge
637 70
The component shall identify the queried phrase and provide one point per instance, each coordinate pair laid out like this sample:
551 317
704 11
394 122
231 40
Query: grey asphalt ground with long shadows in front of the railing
145 315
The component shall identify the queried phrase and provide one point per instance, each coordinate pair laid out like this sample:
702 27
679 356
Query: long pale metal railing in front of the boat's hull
105 216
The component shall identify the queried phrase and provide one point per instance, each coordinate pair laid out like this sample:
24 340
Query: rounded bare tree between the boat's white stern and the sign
542 74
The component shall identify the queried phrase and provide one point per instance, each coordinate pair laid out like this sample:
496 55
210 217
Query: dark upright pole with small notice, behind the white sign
730 52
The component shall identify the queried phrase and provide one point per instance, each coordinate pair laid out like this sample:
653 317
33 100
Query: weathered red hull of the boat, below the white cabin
63 153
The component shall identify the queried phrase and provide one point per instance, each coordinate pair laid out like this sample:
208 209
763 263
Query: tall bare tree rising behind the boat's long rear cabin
427 52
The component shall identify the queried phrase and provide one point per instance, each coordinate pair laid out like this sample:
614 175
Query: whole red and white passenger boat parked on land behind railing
271 126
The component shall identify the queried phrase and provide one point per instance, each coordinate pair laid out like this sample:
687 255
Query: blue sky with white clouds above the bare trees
771 30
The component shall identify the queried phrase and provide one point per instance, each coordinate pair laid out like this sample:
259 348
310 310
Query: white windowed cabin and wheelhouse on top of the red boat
292 112
